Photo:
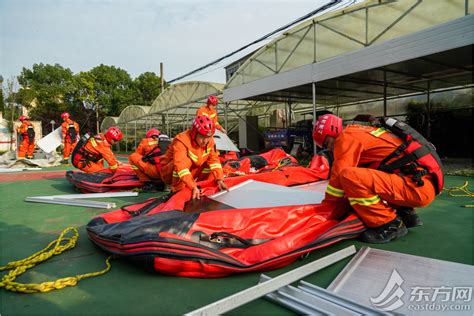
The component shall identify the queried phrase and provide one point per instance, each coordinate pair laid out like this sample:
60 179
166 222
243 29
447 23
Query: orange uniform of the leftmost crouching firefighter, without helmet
99 149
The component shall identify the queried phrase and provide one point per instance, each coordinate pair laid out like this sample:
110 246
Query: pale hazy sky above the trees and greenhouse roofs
136 35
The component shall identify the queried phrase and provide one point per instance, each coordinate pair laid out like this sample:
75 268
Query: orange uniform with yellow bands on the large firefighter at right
371 193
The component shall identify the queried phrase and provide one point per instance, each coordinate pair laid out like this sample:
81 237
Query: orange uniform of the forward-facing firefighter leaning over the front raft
185 161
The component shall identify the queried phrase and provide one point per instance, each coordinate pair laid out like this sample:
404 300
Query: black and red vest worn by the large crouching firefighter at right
416 156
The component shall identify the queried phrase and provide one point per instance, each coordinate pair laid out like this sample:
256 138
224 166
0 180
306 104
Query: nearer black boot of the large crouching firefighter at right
385 233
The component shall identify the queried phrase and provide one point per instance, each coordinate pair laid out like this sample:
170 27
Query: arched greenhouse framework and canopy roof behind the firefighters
374 58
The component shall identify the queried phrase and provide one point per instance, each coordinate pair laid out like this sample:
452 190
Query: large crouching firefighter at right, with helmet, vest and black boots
381 172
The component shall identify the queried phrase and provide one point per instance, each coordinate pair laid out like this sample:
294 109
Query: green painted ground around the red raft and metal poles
28 227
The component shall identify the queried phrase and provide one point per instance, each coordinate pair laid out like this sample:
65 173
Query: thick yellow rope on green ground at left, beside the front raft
54 248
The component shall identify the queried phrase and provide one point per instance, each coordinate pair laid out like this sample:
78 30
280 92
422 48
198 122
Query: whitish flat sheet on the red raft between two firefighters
254 194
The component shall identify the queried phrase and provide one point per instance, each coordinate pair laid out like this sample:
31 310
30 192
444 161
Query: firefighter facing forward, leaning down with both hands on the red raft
192 155
